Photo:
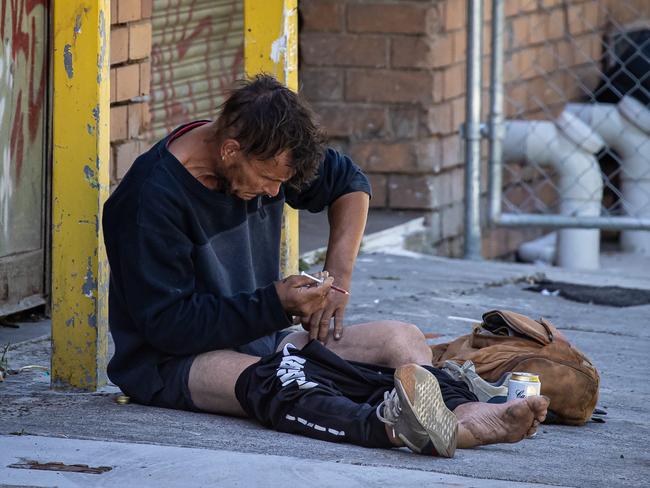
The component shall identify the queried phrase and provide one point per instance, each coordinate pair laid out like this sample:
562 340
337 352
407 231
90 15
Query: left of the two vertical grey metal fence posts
472 131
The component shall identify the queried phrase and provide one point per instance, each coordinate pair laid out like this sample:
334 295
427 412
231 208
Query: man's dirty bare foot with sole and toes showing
486 423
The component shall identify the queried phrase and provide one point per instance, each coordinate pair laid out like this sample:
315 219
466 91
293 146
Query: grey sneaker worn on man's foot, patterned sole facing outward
417 413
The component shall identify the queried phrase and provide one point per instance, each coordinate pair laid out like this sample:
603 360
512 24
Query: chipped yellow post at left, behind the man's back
80 182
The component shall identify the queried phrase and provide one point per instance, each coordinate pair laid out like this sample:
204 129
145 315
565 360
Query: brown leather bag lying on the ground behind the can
506 341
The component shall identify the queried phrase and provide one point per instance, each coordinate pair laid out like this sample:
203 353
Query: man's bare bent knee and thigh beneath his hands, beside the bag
385 342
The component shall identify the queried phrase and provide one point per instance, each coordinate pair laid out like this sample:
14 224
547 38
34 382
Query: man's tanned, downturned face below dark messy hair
249 177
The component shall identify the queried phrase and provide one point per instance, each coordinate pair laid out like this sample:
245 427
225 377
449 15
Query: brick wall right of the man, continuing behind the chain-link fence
388 80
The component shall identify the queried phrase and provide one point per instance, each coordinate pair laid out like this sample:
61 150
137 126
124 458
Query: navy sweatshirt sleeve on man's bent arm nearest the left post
157 279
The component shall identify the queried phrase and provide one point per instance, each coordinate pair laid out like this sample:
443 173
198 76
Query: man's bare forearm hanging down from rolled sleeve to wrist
347 217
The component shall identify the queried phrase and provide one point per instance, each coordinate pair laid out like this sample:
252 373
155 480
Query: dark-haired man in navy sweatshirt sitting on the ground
192 235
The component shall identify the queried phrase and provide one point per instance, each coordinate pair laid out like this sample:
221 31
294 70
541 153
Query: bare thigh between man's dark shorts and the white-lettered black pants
212 381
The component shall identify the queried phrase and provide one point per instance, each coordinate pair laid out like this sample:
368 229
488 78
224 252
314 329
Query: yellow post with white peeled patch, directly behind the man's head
271 46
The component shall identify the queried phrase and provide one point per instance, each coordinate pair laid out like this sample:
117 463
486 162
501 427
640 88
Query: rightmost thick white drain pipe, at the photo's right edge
625 128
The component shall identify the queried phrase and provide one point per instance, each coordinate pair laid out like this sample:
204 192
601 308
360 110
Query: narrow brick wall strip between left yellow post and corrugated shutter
130 79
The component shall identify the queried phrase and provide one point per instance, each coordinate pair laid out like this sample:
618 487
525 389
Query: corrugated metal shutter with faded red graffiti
197 53
